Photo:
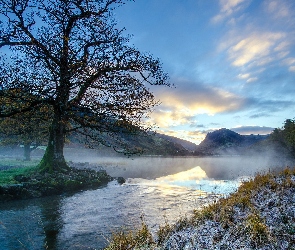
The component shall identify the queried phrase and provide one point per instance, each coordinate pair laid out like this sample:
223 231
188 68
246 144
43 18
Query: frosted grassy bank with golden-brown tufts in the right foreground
260 215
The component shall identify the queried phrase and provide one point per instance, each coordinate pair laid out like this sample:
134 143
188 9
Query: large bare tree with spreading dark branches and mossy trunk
70 55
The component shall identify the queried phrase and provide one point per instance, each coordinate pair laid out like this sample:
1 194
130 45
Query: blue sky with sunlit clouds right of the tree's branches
232 62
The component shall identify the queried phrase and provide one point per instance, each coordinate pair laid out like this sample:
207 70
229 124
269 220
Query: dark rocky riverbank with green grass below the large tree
27 183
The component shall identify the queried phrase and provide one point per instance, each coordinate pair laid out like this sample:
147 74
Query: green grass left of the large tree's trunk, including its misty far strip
23 168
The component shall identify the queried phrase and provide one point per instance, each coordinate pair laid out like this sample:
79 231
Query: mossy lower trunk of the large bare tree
53 159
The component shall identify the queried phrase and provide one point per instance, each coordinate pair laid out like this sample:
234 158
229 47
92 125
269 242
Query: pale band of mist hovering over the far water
151 167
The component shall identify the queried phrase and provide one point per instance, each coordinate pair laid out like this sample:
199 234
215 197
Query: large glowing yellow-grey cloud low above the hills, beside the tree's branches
181 105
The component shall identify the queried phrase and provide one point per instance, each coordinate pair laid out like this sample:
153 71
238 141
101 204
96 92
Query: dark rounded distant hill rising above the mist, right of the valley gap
227 142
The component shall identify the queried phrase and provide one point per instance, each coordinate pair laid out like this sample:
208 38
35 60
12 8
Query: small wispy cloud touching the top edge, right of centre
228 8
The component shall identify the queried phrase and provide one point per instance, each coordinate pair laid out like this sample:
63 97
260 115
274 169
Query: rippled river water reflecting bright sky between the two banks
157 189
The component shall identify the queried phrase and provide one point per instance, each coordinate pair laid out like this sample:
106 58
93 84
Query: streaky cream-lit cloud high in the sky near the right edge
253 52
